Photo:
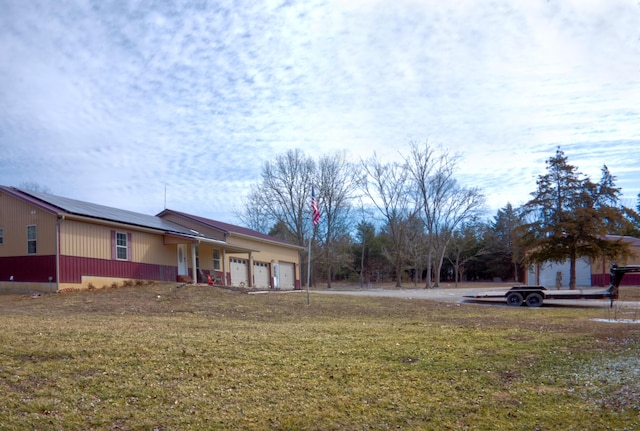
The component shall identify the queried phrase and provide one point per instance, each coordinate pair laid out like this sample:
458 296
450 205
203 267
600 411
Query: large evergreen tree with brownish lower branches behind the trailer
572 217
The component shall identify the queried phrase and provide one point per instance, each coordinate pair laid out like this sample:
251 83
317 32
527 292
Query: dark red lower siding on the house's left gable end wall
30 269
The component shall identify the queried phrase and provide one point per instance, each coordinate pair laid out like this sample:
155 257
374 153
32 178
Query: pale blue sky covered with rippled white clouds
113 101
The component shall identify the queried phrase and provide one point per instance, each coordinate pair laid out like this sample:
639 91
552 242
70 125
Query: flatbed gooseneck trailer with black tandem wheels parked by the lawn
533 296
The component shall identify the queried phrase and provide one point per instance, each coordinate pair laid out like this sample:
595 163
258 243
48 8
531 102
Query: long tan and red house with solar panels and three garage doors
50 243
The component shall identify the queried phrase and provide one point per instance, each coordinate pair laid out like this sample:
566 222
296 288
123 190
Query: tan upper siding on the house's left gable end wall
15 216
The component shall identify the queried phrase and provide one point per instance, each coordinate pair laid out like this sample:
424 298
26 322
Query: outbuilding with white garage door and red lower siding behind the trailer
588 272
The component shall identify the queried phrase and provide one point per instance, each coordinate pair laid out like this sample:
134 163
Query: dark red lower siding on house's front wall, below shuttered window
72 269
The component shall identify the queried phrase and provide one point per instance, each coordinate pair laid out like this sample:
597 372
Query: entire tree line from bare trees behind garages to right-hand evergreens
411 221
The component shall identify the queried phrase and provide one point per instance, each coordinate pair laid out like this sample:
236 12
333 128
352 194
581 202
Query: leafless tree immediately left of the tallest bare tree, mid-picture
387 186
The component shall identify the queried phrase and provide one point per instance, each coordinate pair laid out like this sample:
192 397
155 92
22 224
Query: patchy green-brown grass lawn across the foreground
194 358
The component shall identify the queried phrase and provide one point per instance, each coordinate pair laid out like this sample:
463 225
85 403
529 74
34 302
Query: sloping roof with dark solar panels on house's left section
101 212
